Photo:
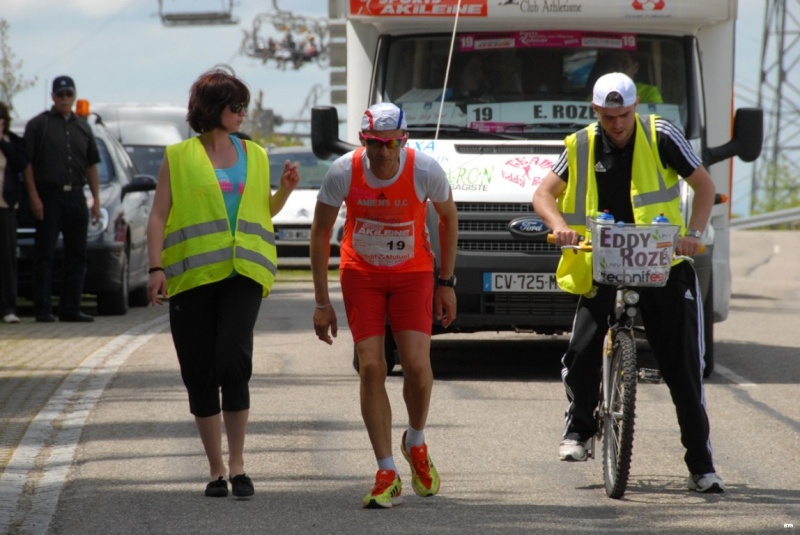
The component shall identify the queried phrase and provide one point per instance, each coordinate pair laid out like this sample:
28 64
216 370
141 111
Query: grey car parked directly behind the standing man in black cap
116 251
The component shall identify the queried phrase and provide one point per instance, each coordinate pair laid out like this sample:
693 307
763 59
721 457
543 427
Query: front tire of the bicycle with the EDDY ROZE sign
618 419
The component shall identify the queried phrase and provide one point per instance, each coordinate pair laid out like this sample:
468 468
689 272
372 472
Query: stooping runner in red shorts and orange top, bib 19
387 273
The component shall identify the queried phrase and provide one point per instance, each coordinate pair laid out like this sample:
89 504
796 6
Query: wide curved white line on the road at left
32 481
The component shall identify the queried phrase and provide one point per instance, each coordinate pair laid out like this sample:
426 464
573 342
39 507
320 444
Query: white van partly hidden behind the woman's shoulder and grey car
145 130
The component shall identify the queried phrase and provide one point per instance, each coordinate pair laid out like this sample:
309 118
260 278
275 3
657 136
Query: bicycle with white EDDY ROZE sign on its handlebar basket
627 256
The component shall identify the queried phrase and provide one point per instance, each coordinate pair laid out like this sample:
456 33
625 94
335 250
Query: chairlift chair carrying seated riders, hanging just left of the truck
299 40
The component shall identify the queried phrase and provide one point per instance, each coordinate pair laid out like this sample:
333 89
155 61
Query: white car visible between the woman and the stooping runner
293 223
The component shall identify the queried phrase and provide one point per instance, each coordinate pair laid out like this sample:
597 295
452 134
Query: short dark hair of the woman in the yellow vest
210 94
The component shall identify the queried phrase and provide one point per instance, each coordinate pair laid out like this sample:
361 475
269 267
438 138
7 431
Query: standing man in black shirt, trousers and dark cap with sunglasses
64 157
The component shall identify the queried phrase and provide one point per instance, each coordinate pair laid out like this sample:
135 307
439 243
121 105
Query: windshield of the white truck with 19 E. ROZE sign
527 84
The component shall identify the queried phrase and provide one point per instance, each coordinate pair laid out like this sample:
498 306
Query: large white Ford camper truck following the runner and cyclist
490 88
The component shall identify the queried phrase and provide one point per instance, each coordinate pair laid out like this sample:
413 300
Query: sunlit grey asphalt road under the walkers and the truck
96 436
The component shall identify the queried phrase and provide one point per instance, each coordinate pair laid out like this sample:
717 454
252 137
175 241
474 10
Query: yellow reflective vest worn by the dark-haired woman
199 247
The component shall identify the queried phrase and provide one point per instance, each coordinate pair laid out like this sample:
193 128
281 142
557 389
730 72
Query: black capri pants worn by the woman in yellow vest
212 329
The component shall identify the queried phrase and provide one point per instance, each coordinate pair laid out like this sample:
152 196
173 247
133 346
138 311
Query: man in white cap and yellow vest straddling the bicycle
630 166
